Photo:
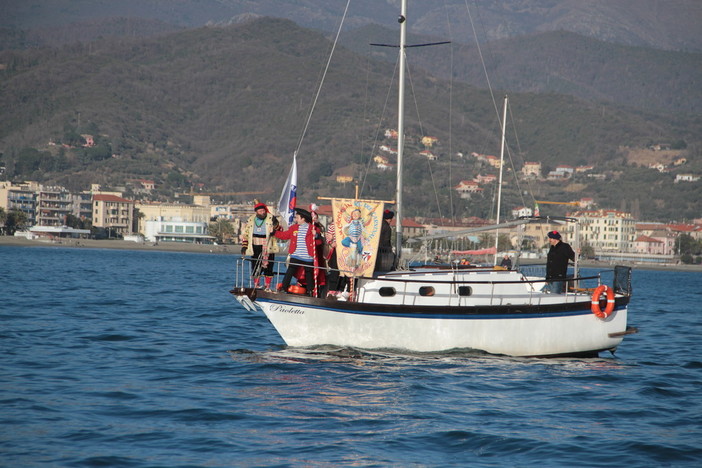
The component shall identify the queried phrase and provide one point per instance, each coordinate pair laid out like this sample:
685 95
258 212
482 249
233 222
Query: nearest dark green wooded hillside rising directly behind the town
226 106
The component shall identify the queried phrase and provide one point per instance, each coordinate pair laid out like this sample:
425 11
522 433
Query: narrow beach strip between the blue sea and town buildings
235 249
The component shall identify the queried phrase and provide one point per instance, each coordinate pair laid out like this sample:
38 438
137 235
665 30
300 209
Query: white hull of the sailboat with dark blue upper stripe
515 331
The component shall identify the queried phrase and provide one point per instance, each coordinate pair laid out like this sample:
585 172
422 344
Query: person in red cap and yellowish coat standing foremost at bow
257 242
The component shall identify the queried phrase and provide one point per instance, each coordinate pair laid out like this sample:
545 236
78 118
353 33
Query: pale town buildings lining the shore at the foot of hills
610 233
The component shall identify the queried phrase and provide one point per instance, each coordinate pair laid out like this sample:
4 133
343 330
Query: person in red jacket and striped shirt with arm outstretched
304 238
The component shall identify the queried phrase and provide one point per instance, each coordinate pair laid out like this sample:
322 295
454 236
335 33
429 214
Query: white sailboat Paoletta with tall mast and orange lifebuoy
439 309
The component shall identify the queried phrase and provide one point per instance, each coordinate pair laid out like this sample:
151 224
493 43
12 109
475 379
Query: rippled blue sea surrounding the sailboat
143 359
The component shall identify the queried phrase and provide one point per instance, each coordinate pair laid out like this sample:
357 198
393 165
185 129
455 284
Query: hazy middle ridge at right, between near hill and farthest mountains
560 62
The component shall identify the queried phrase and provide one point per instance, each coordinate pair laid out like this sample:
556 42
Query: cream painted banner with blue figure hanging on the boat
357 226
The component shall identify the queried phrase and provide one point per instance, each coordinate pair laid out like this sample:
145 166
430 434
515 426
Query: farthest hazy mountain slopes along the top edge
669 25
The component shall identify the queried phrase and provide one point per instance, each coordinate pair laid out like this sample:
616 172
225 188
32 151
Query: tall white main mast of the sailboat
400 130
